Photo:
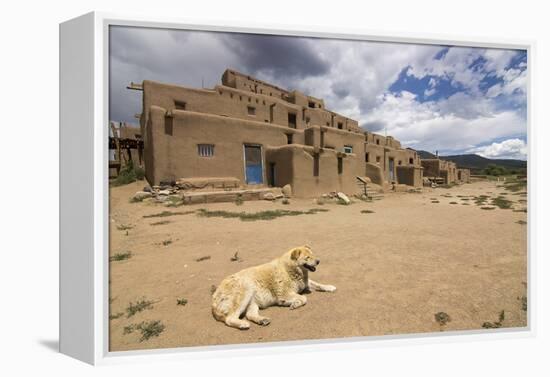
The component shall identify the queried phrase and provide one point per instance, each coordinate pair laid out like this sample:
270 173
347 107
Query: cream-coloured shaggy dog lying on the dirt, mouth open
278 282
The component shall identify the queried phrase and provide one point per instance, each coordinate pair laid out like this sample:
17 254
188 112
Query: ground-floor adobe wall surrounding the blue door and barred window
173 144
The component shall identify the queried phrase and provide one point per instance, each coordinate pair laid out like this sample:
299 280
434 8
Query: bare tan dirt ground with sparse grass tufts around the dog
394 269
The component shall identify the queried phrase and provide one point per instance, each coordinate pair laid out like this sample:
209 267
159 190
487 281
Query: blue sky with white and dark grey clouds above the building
449 99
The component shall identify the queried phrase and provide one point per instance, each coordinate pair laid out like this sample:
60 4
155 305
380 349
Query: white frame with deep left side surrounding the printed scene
84 193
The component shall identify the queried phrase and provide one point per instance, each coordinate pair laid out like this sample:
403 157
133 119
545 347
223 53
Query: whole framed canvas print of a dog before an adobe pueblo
225 188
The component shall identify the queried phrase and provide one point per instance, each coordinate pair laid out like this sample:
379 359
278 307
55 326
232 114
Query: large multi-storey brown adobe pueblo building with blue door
249 134
